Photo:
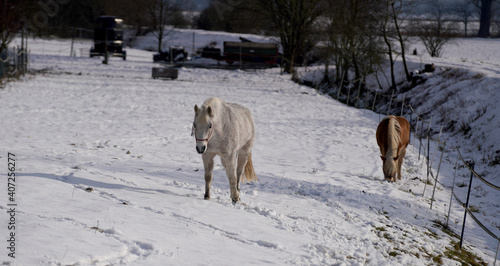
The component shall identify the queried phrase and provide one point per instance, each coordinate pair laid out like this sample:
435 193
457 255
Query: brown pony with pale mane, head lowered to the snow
393 136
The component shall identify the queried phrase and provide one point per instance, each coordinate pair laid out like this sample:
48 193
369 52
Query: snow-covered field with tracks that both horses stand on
107 172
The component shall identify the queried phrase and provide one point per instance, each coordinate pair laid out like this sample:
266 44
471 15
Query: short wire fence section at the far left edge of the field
13 62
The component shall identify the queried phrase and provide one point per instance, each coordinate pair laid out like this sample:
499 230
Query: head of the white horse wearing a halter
203 127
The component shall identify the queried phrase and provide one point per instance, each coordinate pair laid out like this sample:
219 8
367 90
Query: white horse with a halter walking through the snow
227 130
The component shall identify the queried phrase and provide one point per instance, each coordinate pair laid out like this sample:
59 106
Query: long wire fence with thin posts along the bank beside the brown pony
422 129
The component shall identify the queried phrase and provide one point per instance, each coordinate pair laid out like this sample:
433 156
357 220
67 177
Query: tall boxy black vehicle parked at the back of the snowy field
108 37
